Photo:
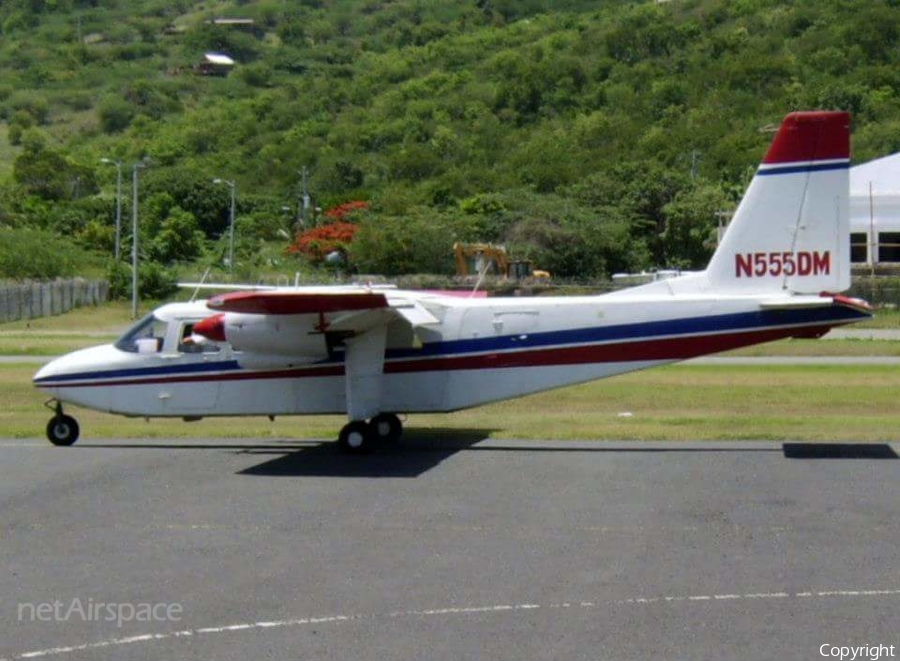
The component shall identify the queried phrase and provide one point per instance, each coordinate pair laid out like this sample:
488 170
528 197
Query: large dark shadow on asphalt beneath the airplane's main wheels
420 451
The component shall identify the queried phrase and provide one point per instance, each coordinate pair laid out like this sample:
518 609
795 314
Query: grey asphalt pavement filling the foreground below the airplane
451 547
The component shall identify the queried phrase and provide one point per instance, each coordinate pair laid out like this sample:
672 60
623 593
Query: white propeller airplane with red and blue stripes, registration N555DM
376 353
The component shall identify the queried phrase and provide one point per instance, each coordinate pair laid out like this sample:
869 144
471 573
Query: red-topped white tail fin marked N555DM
791 230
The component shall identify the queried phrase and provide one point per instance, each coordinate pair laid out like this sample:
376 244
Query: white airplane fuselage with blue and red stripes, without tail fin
475 351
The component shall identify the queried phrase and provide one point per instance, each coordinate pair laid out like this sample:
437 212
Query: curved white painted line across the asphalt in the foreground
438 612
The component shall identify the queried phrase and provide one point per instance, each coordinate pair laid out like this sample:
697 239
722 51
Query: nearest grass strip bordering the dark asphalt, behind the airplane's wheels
806 403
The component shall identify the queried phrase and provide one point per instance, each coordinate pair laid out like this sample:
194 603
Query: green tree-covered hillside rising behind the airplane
592 137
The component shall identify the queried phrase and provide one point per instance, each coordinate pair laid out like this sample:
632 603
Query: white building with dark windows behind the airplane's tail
875 211
